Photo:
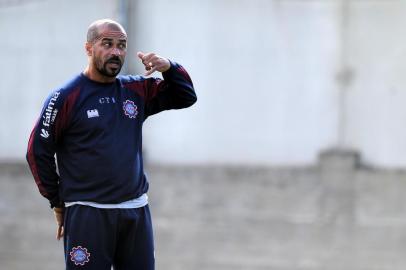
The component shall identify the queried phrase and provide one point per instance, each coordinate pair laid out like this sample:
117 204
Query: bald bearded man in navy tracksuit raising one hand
94 126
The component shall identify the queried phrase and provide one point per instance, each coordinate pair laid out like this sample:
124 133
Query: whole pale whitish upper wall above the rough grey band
278 81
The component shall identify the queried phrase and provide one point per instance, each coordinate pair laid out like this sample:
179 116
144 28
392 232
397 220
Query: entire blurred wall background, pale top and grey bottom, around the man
292 158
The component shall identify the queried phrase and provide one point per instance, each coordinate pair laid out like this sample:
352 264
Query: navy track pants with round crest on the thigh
97 239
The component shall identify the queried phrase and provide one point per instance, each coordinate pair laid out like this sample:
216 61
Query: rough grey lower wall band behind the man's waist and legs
337 215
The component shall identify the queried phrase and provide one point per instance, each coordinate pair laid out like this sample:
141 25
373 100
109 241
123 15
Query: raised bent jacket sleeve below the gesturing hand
175 91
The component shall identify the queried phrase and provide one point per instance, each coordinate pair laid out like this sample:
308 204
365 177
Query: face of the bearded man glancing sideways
109 51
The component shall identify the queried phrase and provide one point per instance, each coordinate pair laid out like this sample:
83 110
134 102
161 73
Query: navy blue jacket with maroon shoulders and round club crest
95 130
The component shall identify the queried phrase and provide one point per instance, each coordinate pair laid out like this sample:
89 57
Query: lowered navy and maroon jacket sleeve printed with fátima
42 147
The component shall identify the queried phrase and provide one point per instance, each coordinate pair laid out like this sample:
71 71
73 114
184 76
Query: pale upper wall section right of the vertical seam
374 99
